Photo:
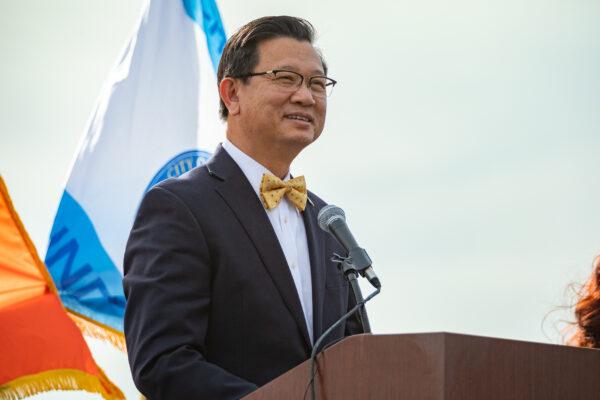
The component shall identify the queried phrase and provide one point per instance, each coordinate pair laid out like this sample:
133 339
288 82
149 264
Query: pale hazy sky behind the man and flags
462 141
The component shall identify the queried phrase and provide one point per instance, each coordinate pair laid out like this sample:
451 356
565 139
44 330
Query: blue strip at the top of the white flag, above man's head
206 13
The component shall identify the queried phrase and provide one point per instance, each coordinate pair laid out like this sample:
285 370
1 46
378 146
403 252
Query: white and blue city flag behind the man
156 117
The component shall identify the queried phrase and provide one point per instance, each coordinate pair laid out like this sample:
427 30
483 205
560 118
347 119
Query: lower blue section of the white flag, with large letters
87 280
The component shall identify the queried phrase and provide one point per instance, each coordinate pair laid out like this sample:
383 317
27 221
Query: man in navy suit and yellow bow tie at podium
228 278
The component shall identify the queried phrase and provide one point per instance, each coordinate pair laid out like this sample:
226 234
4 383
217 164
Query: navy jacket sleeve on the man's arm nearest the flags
167 287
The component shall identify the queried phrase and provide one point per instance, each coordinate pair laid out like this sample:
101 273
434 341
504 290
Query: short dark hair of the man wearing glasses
240 55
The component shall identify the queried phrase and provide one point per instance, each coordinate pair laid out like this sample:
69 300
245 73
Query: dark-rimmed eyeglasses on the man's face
319 86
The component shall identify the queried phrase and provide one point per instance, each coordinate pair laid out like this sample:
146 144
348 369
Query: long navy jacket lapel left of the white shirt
239 195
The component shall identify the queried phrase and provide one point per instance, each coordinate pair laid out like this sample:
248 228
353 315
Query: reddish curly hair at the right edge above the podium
587 312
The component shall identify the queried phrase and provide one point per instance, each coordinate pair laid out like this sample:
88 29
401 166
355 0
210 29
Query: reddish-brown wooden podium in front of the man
443 366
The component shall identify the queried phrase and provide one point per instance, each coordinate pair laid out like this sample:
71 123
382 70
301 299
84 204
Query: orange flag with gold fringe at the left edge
41 348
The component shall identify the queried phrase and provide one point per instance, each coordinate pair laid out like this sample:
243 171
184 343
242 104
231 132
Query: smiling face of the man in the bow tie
278 119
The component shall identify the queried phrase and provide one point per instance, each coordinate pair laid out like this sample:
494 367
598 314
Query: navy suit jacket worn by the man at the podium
212 311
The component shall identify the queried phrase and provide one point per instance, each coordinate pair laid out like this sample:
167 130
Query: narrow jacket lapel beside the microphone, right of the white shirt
317 265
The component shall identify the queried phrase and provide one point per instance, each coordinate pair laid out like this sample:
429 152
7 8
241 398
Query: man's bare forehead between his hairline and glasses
288 53
